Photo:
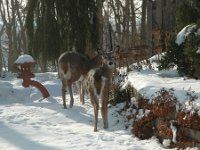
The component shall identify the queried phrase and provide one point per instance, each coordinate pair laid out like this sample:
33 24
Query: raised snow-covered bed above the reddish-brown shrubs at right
148 82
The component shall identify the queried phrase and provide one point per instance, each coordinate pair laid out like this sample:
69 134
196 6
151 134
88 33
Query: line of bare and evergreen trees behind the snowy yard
46 28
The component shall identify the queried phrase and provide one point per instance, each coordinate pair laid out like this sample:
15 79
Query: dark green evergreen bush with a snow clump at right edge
184 52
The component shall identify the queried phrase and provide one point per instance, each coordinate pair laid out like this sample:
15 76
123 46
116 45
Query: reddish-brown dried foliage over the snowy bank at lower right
158 121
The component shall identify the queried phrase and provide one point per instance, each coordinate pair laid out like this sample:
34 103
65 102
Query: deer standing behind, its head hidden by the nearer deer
73 67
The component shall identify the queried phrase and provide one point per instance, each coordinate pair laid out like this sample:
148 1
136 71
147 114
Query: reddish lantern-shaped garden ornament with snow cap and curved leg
25 63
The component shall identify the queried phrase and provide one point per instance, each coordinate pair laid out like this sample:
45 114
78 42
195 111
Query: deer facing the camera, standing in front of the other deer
97 83
